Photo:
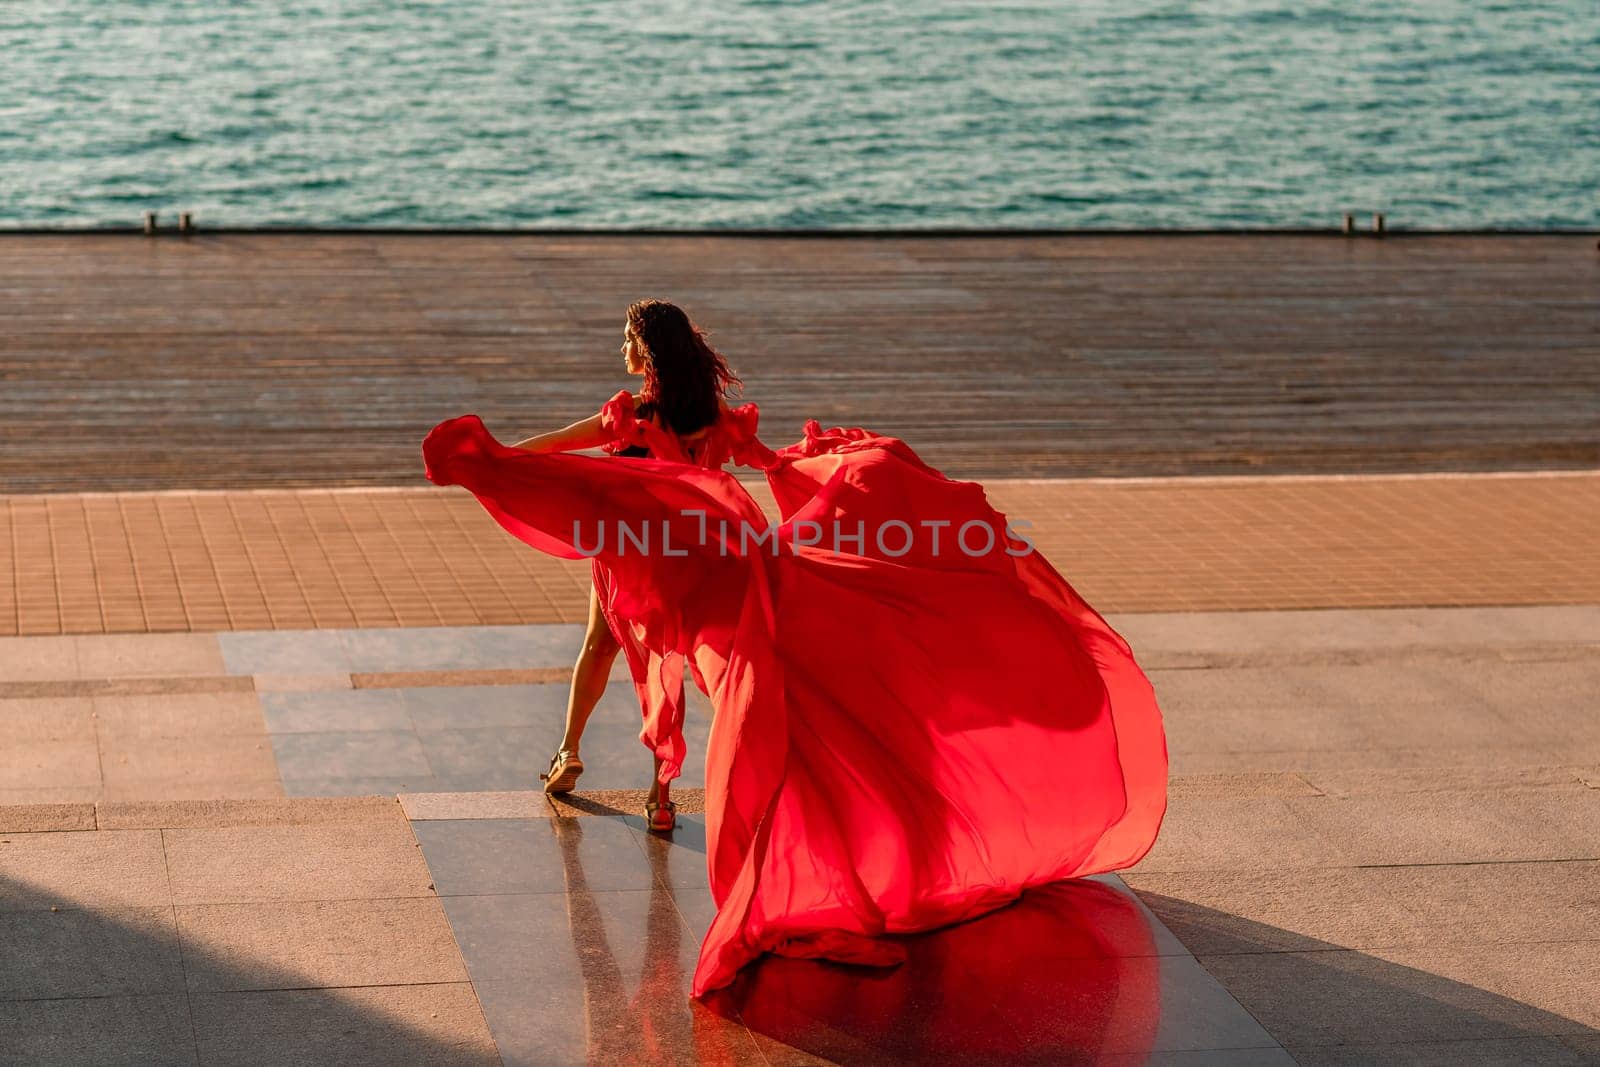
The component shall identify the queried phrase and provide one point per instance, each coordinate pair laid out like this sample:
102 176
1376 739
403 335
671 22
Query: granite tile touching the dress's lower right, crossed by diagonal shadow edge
1276 911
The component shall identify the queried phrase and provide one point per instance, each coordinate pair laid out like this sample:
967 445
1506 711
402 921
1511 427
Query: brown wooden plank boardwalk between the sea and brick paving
238 361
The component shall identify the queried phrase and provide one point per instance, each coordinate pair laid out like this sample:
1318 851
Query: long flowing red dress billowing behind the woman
910 730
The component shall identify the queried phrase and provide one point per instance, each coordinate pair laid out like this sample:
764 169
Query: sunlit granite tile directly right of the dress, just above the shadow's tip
1230 834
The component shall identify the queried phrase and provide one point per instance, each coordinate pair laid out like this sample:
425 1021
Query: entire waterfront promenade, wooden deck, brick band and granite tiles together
273 711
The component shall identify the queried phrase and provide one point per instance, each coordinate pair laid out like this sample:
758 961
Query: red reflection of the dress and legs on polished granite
1066 975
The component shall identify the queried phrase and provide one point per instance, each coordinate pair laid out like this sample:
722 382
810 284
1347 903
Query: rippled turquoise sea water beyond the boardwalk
801 114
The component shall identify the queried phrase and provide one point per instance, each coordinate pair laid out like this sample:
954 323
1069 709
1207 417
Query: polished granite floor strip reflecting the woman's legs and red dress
582 937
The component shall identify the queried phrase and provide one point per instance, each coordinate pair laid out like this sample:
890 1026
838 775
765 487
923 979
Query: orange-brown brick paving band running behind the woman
306 559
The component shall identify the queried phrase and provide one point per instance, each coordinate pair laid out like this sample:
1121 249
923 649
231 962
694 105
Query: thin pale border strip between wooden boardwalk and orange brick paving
1135 481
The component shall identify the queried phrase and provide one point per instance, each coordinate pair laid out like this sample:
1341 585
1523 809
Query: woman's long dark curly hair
684 375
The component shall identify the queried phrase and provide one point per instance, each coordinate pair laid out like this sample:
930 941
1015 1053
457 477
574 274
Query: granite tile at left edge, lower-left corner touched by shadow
103 869
